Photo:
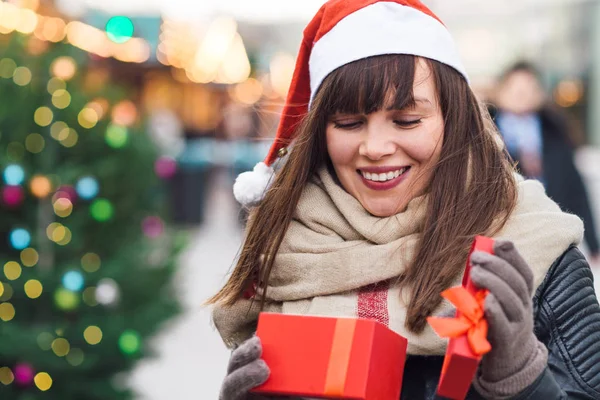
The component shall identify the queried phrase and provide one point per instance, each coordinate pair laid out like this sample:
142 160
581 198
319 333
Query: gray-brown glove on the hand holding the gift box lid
517 358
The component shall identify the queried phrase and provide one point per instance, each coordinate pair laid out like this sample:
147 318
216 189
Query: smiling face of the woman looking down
385 159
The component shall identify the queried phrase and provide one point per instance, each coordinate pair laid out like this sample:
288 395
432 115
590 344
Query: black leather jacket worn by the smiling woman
567 321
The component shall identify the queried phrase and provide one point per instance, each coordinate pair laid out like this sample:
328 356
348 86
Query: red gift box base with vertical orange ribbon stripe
332 358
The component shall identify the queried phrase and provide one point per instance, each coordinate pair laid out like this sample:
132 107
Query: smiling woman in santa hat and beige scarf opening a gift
391 169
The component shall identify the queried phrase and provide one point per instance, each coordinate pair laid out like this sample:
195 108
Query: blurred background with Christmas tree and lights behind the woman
123 124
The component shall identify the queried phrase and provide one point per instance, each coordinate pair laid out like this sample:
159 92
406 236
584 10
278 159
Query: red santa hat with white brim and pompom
341 32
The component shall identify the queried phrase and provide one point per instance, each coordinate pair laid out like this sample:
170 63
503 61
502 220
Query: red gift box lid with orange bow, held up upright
468 331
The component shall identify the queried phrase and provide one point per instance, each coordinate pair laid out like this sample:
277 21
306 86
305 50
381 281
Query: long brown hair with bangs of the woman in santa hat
472 190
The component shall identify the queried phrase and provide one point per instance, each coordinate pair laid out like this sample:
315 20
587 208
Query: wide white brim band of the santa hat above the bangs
382 28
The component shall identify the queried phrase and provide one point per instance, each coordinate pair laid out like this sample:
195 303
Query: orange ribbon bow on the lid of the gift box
470 321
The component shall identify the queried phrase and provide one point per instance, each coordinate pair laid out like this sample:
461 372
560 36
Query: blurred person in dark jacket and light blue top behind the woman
537 138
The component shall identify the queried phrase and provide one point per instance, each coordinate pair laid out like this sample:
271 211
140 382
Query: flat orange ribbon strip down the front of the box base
339 359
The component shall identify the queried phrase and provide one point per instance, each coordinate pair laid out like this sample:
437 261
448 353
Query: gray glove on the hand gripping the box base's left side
245 372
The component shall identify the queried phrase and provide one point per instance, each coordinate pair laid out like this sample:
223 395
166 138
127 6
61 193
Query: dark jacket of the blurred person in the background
563 181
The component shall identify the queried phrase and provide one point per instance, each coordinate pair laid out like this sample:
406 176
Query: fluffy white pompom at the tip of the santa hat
250 187
